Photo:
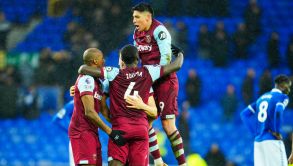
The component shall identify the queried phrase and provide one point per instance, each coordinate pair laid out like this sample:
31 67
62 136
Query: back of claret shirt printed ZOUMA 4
129 81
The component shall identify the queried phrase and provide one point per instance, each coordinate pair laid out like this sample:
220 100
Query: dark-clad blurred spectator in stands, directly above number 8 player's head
273 50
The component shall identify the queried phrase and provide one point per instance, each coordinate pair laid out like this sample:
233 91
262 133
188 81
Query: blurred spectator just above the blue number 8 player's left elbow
248 86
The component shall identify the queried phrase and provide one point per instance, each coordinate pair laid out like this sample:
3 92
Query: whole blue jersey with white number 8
265 115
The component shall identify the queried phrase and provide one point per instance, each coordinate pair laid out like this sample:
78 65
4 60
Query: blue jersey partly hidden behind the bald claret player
62 118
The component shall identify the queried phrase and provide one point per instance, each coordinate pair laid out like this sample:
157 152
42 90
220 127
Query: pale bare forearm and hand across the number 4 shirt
136 102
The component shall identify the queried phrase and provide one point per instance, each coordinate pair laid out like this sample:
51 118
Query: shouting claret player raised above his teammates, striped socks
154 45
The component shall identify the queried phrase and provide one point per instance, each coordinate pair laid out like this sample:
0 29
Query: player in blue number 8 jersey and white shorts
264 120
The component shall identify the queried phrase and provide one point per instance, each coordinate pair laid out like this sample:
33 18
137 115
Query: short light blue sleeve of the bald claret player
86 85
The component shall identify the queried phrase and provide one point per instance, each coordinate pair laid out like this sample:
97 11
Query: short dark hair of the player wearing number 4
129 54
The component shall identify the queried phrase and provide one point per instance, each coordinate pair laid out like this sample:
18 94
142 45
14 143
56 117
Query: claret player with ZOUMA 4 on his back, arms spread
131 80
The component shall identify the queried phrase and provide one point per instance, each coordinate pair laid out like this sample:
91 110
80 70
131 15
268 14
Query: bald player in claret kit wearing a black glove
85 120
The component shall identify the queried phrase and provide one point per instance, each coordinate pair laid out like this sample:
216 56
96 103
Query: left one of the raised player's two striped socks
154 148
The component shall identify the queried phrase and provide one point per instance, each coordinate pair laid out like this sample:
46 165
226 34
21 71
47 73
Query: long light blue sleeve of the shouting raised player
163 38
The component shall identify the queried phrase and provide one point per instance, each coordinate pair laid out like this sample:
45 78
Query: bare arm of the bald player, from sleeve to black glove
88 103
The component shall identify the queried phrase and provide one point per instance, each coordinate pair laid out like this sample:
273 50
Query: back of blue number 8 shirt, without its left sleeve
265 112
